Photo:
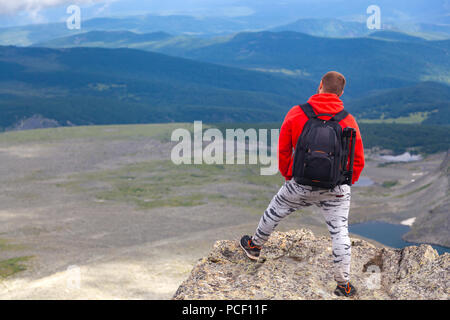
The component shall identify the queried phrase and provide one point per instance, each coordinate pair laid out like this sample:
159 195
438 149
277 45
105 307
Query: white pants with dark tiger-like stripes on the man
335 206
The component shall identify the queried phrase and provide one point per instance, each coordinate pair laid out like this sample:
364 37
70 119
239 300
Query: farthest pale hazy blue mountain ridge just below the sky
214 26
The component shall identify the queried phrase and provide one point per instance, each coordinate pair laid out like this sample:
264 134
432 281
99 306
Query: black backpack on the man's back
320 157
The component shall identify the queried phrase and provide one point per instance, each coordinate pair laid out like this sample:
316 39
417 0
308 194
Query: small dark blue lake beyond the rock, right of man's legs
388 234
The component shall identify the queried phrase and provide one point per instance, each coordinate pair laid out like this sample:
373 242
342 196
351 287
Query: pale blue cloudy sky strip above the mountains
16 12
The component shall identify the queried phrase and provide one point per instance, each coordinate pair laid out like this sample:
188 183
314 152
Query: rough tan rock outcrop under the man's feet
298 265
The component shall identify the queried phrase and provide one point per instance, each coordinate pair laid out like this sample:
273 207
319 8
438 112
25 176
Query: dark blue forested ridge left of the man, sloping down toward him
105 86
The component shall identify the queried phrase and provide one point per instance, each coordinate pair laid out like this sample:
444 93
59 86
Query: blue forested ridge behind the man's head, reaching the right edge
368 64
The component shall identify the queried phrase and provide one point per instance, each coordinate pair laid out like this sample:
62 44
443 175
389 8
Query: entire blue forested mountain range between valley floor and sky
93 76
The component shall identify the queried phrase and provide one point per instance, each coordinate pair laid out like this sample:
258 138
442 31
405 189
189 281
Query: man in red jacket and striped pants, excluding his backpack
335 203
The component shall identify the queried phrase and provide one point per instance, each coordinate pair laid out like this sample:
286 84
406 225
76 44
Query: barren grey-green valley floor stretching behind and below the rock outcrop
109 201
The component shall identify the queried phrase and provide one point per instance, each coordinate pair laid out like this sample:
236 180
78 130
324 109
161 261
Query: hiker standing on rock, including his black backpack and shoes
319 167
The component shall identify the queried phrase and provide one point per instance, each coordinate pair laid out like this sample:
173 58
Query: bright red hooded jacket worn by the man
293 125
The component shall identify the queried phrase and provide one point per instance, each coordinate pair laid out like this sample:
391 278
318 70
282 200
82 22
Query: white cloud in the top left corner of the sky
32 7
